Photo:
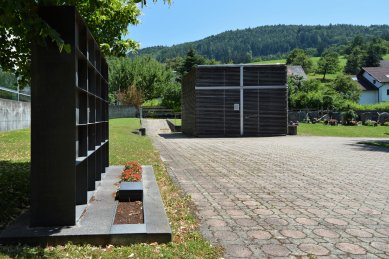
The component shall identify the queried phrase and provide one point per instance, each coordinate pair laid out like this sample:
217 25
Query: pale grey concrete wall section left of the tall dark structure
14 115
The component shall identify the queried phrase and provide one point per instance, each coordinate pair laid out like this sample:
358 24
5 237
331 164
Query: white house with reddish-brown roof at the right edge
374 82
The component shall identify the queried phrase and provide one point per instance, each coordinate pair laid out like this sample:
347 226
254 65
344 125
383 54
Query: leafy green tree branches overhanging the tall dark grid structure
20 25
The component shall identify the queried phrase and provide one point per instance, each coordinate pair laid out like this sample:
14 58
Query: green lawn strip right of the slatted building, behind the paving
342 131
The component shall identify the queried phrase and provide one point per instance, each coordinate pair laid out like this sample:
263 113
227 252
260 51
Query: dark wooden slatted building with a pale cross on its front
209 94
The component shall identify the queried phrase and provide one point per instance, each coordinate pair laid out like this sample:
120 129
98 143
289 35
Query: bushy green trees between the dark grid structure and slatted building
134 80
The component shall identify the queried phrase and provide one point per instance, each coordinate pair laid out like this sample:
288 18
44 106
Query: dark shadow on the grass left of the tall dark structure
14 190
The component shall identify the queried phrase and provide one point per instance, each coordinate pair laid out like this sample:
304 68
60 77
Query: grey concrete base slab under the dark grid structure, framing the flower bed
96 227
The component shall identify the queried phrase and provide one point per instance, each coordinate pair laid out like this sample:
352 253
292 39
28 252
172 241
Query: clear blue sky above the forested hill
190 20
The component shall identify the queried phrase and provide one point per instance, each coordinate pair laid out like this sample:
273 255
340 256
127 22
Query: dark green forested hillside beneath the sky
269 42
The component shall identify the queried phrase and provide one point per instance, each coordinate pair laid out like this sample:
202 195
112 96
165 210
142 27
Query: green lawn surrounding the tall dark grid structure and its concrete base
124 146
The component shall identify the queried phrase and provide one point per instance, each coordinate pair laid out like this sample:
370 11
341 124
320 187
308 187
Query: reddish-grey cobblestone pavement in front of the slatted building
284 196
